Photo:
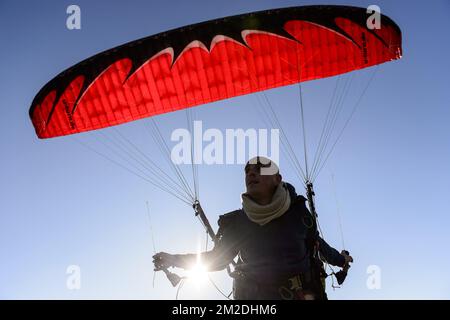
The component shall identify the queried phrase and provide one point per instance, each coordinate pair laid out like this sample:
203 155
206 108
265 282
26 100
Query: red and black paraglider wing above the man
211 61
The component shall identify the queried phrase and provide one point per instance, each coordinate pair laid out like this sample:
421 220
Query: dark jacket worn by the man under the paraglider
269 254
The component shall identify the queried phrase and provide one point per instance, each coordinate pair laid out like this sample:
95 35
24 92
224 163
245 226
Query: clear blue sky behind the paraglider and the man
62 204
